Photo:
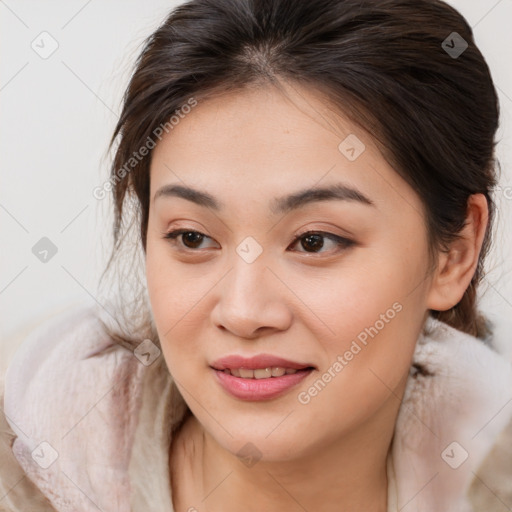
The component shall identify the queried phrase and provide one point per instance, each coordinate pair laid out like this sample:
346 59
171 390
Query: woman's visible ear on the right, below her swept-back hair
457 266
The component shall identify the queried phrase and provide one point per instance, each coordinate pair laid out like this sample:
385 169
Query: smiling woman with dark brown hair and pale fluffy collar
311 182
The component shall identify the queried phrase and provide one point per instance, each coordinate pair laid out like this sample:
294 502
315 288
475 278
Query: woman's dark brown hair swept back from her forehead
384 63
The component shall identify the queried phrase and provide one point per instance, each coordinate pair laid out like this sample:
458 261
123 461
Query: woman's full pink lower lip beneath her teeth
260 389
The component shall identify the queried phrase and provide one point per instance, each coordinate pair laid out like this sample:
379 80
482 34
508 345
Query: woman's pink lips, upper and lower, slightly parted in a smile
258 389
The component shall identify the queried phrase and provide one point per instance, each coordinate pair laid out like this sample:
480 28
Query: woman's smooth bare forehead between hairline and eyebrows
264 142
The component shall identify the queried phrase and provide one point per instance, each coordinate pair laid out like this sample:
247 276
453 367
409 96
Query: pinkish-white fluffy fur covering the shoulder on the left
70 401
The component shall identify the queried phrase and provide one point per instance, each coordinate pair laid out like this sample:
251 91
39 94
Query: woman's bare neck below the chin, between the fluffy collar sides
347 474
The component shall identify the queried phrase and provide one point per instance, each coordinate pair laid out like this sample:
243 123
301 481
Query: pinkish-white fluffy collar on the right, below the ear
456 404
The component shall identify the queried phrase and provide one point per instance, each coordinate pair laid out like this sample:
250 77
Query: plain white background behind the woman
57 116
